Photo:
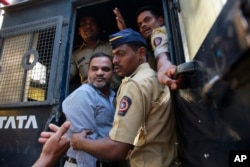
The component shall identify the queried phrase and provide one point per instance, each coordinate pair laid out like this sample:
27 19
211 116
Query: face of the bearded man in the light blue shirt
100 72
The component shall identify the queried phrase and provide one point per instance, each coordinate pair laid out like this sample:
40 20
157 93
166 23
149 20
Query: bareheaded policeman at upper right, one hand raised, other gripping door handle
149 18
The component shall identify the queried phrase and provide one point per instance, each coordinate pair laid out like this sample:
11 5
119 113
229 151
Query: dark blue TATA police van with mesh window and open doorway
208 40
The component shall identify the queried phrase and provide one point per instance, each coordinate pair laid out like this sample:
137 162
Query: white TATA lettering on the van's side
18 122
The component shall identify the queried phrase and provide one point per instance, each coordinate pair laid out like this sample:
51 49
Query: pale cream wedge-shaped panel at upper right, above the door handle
198 17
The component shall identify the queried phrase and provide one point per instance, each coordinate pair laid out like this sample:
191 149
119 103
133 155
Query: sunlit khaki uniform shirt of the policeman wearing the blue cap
143 119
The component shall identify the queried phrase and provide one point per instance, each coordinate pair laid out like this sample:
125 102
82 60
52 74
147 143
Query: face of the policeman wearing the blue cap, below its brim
126 60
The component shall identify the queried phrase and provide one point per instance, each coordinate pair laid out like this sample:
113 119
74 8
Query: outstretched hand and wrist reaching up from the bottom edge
56 144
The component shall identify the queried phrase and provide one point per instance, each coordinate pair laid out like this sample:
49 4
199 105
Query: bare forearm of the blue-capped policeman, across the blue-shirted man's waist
104 149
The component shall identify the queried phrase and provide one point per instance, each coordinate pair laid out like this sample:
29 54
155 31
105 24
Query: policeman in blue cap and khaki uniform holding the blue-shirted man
144 126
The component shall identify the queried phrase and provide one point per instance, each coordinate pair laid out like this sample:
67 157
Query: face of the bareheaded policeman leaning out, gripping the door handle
146 22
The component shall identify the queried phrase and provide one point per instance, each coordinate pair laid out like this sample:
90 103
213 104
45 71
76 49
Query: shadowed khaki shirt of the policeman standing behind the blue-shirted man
80 61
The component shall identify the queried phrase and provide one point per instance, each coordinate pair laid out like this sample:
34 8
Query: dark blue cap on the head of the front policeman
126 36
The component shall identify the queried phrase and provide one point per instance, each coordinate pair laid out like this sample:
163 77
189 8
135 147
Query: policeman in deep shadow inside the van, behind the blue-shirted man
89 31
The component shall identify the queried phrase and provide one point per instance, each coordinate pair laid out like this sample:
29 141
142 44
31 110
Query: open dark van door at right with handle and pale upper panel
213 104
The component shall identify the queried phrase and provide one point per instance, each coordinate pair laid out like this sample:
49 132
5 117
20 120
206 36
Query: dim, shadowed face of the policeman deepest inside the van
88 28
